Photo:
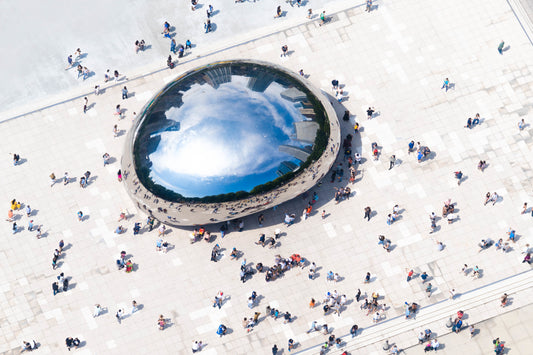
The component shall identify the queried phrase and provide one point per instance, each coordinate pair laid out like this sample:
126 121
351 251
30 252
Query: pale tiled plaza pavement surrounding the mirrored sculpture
395 59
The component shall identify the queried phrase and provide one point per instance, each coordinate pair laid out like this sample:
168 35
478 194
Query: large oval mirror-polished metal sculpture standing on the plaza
227 140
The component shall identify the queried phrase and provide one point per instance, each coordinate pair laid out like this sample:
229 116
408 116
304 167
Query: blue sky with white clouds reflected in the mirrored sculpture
227 140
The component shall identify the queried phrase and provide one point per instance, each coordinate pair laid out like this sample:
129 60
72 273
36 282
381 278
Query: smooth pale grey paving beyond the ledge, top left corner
38 37
